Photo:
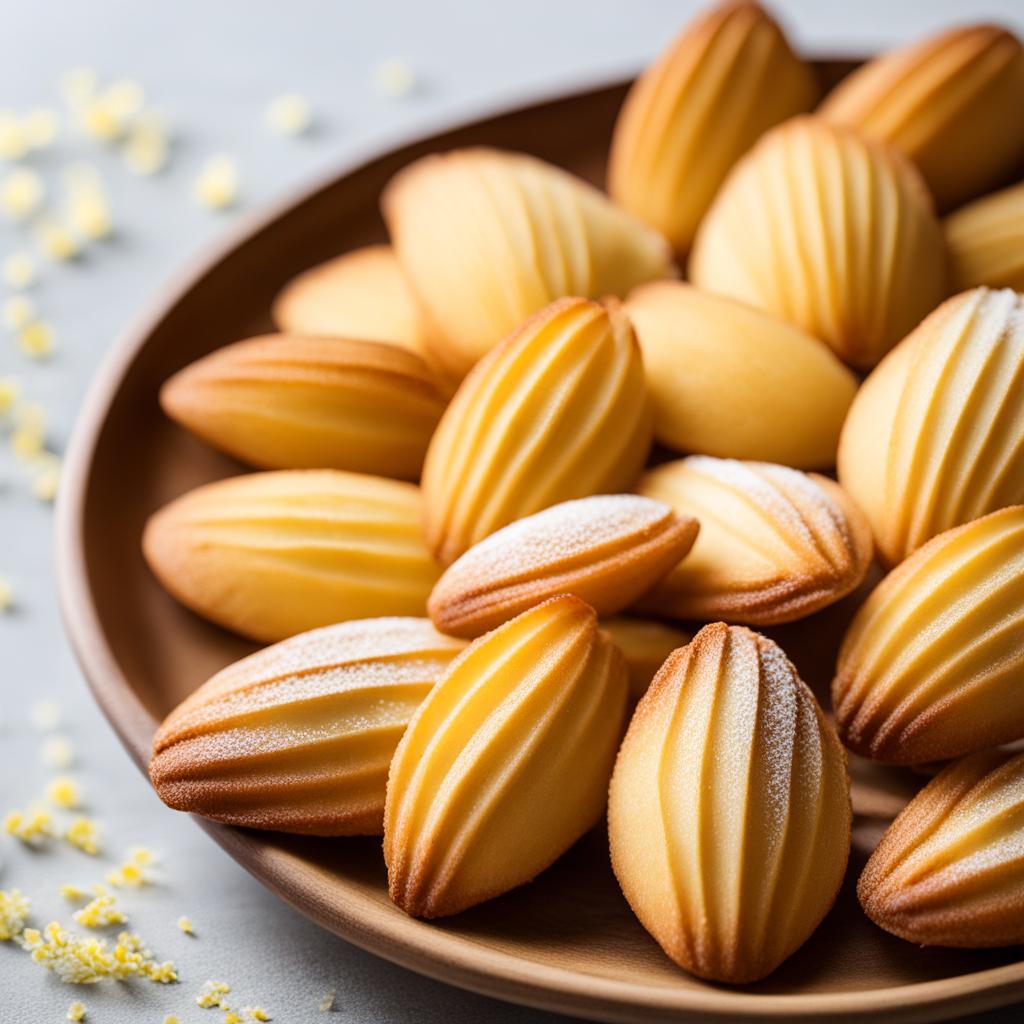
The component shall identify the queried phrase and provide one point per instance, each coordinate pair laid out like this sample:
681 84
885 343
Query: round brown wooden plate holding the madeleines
568 942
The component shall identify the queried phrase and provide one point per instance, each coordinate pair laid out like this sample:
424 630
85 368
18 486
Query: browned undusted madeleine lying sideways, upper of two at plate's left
284 402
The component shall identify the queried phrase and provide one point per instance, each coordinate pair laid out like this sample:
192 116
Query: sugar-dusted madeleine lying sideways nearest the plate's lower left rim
298 738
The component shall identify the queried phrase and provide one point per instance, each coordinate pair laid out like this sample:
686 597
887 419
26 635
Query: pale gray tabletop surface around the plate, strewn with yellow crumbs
212 67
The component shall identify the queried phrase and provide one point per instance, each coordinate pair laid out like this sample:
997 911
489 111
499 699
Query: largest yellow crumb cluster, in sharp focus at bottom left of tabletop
82 962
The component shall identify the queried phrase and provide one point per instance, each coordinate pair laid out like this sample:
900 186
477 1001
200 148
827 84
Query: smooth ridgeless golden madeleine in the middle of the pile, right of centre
706 358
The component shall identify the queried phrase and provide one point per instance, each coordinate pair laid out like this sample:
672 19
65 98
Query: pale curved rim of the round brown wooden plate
432 952
